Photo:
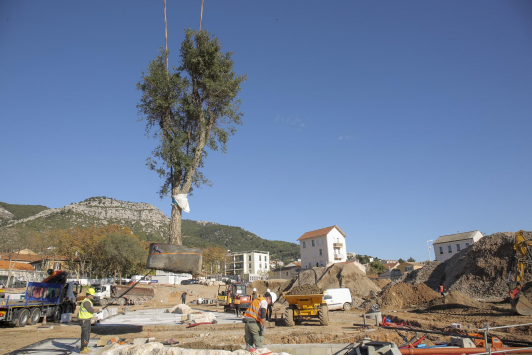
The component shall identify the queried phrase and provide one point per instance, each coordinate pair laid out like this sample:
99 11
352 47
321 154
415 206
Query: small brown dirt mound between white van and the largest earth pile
401 295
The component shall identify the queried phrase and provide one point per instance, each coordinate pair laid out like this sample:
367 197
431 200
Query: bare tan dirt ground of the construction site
230 336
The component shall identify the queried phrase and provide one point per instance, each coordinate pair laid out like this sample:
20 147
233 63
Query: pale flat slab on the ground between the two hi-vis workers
158 317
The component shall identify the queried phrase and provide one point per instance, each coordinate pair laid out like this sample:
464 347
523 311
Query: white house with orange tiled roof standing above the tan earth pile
322 247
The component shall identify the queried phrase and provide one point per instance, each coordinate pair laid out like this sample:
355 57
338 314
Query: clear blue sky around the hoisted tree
398 121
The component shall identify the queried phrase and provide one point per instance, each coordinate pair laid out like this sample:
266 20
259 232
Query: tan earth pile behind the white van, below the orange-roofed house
335 276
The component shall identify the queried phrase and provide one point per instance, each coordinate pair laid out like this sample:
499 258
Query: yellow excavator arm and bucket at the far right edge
521 257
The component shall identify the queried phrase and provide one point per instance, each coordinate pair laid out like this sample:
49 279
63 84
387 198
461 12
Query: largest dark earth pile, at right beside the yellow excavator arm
479 271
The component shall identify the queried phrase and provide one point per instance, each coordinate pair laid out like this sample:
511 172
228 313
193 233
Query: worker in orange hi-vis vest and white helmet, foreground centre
255 319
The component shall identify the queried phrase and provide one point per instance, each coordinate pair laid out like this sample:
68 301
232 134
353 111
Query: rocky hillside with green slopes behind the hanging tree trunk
148 223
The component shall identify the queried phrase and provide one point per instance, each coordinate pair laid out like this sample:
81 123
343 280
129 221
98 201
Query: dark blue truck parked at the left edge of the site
51 298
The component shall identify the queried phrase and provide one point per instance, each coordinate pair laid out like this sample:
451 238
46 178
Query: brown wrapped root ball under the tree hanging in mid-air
174 258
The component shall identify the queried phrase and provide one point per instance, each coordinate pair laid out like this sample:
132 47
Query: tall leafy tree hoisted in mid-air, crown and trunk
187 109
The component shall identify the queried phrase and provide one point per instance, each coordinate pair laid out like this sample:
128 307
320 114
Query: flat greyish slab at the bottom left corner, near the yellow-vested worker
55 346
